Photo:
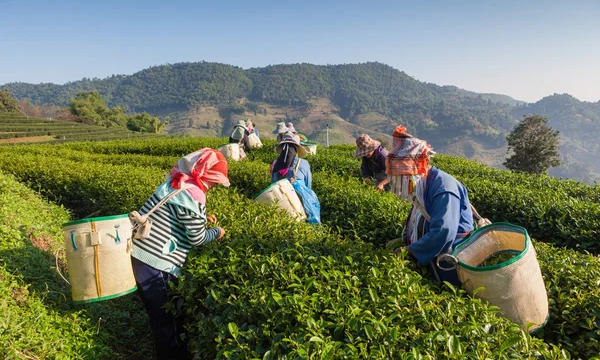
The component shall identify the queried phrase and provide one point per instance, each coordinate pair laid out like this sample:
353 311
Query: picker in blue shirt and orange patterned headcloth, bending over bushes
441 216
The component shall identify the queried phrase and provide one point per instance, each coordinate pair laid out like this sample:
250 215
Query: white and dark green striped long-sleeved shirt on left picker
175 230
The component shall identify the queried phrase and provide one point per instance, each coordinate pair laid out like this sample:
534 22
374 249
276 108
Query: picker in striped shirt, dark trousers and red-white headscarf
177 212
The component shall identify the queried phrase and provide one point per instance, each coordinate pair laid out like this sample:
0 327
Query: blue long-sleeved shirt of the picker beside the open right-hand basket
447 202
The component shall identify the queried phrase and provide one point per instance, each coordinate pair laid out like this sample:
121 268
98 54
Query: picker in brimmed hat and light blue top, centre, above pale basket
289 159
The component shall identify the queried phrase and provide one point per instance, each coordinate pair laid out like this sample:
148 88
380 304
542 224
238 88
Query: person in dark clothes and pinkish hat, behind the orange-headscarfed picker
373 156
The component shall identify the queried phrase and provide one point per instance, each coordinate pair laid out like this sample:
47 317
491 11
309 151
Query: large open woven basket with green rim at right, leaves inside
515 285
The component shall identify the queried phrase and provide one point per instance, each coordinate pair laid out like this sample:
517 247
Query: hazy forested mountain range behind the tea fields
206 98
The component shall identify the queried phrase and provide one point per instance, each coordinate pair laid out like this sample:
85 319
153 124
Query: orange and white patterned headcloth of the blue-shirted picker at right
409 155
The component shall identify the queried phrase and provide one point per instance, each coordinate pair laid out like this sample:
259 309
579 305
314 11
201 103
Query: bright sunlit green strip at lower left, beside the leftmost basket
38 319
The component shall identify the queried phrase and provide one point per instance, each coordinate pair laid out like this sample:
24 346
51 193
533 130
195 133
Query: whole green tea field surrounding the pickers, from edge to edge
274 288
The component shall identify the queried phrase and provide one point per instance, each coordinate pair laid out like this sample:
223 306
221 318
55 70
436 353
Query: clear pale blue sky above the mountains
525 49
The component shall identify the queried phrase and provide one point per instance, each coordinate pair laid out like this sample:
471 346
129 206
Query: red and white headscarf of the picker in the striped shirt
196 170
